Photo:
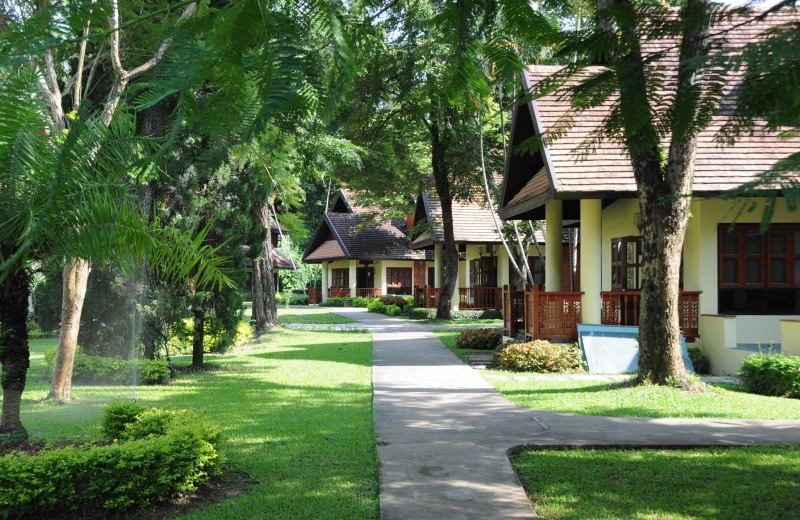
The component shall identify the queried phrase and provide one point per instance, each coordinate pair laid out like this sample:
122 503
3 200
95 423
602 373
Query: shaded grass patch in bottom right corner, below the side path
752 482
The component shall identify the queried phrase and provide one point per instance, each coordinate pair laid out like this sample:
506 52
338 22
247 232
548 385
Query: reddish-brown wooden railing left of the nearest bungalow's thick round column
552 315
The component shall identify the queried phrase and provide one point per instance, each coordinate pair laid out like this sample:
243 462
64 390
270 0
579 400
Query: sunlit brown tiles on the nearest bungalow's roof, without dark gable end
606 167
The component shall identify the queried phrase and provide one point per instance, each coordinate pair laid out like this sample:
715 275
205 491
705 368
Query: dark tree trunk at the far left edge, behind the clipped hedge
14 353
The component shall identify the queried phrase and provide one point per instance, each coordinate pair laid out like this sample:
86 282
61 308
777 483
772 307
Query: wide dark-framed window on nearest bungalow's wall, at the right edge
759 273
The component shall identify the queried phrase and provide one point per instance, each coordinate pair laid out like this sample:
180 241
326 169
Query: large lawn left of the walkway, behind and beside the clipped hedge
296 410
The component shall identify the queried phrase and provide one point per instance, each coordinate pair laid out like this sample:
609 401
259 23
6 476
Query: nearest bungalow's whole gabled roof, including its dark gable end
566 169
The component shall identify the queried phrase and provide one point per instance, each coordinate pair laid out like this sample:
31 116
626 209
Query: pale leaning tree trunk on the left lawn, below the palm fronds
76 276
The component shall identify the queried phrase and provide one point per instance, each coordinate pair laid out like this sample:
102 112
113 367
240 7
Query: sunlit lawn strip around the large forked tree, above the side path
588 397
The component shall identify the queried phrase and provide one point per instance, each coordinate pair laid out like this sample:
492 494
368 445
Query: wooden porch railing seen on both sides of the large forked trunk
622 308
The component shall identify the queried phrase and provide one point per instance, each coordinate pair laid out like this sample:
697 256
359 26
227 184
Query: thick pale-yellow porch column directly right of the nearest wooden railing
591 260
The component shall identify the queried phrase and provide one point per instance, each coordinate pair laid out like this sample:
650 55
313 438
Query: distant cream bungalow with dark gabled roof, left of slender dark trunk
363 259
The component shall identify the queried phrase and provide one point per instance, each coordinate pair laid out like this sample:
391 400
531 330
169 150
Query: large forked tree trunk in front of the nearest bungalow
664 191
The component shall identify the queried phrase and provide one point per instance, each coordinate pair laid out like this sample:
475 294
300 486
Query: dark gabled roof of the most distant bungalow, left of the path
342 236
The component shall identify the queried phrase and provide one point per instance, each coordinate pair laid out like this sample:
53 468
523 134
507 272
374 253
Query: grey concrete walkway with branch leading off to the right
443 430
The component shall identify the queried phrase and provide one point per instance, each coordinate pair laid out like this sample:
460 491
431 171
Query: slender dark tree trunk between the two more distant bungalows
442 181
